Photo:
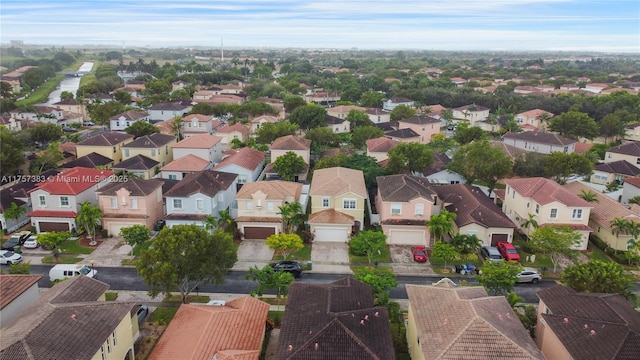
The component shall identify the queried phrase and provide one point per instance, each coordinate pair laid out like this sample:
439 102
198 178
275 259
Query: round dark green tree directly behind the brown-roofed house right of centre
409 157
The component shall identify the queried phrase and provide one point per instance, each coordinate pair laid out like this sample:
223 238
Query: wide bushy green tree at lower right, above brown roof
595 276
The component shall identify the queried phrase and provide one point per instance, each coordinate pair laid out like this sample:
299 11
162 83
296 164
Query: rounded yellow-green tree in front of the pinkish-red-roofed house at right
556 242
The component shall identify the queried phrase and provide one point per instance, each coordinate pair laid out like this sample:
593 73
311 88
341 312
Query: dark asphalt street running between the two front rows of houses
126 278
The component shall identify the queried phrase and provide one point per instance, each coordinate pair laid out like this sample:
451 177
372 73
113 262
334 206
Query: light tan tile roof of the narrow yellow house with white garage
336 181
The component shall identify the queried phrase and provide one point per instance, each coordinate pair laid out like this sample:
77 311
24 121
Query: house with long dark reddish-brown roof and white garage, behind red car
476 213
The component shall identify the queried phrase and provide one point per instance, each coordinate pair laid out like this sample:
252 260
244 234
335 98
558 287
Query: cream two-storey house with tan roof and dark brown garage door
258 207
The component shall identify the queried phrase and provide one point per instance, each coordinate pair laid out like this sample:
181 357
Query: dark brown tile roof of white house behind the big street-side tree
207 182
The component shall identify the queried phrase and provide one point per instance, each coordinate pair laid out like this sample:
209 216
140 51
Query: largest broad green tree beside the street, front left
184 257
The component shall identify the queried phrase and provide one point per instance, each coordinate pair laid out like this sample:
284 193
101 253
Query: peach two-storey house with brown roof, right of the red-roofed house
132 202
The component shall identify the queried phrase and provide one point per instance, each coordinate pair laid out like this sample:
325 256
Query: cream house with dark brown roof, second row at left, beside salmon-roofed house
155 146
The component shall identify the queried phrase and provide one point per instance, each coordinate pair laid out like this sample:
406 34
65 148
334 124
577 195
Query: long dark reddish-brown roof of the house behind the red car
472 206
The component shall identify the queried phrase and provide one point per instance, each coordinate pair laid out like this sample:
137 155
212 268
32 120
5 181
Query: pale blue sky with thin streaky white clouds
599 25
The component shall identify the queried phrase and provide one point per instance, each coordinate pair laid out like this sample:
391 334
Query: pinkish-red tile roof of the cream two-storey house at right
545 191
